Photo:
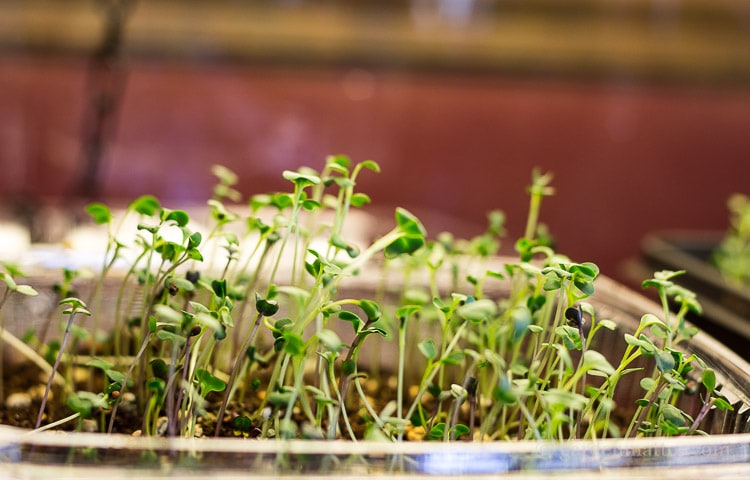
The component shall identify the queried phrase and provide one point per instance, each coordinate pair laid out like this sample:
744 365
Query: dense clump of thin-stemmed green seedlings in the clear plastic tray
253 325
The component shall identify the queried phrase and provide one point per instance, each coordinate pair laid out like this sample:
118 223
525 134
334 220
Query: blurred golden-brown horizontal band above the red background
660 40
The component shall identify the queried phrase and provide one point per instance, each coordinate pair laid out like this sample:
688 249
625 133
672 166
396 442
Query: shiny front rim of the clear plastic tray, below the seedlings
51 455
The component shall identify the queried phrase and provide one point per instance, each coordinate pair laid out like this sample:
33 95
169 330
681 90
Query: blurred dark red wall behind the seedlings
628 158
